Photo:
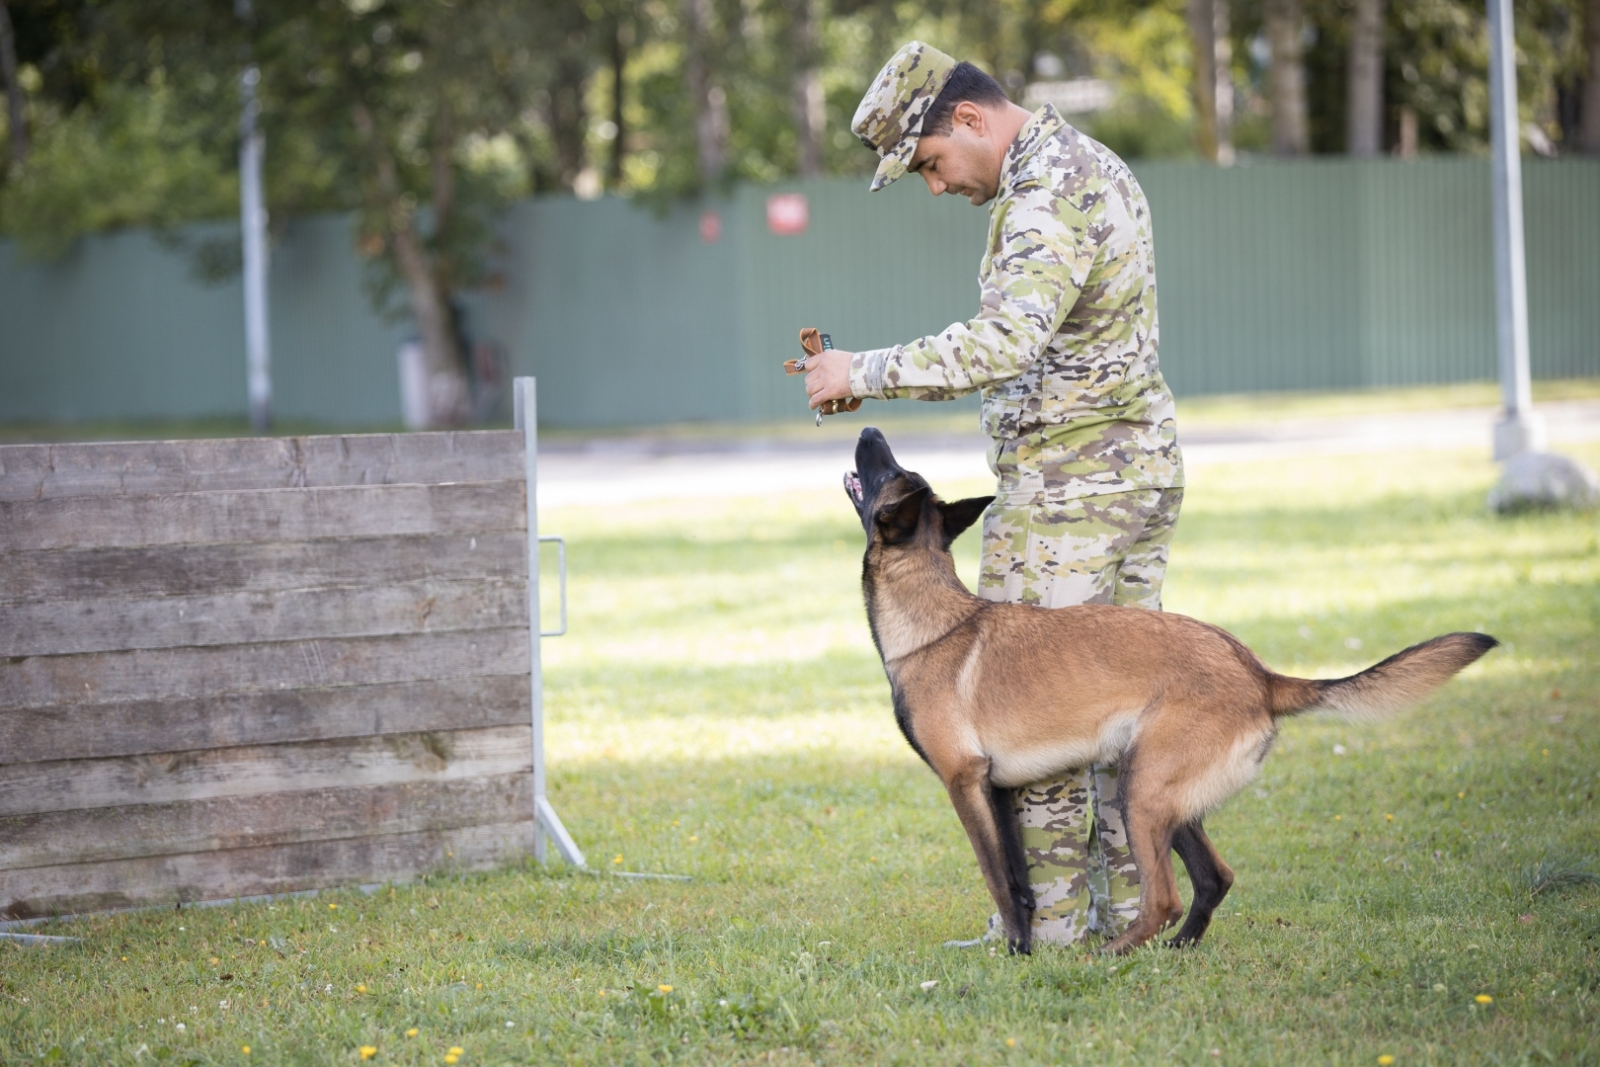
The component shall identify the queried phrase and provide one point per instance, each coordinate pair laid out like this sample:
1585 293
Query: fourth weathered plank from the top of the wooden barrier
102 625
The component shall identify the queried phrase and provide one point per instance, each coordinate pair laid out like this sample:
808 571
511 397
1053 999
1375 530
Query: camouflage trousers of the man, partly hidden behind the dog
1094 549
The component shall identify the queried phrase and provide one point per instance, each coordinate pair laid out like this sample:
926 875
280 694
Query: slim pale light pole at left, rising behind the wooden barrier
254 233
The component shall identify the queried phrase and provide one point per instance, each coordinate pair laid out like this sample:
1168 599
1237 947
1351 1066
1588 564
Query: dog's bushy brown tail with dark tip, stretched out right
1401 681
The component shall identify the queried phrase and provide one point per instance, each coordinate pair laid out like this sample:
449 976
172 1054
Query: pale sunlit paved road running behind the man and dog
626 470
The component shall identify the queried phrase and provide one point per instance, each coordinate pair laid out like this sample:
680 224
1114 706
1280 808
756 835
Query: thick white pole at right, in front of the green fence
1519 430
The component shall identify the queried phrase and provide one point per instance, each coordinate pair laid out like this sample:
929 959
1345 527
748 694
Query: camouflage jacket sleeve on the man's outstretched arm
1036 276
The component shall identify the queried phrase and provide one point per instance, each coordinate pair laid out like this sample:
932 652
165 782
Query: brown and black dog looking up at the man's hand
996 697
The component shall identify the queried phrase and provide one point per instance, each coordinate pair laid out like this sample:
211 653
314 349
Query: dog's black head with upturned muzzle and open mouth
898 508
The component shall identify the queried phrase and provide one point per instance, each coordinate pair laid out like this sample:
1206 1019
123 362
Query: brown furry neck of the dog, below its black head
914 599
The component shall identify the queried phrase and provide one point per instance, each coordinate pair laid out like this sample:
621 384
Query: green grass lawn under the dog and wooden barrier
718 711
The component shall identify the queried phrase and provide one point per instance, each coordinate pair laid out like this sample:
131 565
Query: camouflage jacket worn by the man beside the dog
1065 342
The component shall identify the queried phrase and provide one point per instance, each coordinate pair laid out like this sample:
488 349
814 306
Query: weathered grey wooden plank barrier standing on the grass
238 668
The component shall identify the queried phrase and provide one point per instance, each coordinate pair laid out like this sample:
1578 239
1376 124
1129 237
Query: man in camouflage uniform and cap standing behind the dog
1063 351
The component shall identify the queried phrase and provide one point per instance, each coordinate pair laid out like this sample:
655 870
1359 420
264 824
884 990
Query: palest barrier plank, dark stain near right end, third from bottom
263 770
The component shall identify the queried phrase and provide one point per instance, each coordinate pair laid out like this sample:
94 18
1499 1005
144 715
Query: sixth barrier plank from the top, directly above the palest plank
84 732
